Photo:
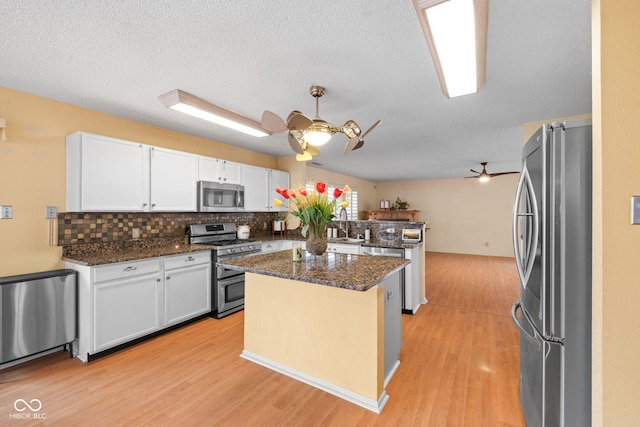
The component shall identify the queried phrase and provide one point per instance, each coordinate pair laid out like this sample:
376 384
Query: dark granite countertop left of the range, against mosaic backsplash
113 252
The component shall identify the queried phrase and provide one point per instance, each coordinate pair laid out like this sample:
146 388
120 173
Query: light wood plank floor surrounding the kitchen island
459 367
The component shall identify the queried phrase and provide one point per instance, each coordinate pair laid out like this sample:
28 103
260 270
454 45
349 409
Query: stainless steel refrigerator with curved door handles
552 245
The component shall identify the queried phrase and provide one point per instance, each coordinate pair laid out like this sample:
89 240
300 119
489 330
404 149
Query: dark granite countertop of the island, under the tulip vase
348 271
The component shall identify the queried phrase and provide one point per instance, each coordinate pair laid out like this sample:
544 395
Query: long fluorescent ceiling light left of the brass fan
189 104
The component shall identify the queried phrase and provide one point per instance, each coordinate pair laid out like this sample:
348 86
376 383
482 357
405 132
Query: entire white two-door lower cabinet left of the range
120 302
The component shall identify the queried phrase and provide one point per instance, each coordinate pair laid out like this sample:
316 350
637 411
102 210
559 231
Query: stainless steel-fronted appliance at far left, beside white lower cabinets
37 313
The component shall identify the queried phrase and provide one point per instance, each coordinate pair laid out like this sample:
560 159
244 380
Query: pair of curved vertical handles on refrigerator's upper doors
532 241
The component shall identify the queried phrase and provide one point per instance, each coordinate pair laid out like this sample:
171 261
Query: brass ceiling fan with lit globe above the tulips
305 134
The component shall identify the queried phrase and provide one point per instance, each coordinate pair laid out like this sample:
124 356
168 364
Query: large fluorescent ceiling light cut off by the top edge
456 32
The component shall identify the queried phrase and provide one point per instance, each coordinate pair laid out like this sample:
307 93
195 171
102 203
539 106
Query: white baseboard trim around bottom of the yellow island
372 405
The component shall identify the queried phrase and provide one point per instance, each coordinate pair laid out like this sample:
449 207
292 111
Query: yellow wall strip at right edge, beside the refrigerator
616 246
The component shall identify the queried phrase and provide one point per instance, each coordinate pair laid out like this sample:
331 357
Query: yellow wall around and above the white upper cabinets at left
32 168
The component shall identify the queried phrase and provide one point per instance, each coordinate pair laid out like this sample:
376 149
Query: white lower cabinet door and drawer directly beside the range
187 286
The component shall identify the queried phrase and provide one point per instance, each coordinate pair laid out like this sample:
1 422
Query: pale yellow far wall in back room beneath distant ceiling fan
463 214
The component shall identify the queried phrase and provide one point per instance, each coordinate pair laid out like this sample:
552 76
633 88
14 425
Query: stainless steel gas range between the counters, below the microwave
228 285
